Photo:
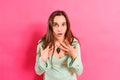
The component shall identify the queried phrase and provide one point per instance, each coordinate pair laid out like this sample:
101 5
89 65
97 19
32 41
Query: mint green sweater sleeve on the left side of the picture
40 66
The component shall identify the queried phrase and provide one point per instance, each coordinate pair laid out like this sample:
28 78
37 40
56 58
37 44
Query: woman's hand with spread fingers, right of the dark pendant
69 49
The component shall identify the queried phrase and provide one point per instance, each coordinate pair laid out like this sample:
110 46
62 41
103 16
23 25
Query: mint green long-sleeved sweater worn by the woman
59 69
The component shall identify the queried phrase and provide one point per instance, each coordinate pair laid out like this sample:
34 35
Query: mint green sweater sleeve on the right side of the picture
76 66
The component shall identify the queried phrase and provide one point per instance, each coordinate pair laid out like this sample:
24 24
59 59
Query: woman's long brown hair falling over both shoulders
49 38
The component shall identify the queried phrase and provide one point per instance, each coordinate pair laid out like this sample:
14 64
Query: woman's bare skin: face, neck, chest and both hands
59 30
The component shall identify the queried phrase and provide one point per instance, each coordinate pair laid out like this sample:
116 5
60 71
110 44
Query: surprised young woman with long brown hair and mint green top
58 52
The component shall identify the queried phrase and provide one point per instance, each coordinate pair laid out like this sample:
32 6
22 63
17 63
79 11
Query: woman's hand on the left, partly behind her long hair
45 53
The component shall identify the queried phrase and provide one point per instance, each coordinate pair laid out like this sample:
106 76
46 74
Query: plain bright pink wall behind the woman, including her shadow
96 23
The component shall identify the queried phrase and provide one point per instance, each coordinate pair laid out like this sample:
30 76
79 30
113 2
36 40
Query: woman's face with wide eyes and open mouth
59 27
